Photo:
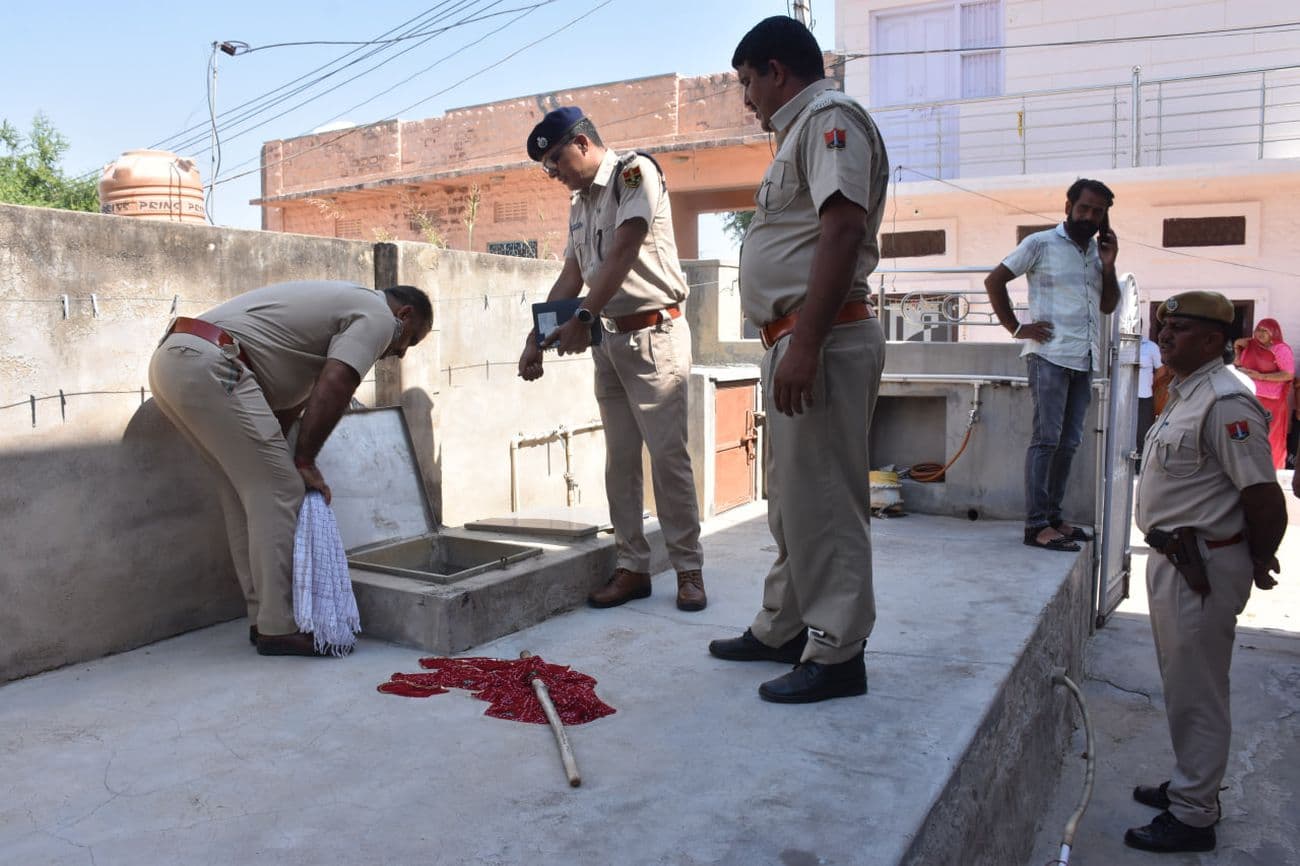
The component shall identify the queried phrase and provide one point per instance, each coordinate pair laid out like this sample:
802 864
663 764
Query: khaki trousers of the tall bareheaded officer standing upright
820 501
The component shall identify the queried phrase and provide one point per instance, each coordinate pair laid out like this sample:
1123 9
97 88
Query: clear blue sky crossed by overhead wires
133 73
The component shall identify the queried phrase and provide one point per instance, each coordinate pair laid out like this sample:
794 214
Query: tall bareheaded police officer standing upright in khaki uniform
804 274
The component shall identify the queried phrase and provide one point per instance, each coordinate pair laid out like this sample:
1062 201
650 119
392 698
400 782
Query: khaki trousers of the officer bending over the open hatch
219 408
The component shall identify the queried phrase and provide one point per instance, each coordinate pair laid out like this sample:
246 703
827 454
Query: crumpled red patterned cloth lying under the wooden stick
508 687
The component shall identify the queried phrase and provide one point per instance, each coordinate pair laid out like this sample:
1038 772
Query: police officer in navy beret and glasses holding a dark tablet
622 246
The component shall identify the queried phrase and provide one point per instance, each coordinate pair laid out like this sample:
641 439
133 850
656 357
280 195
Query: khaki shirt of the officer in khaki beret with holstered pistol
1210 444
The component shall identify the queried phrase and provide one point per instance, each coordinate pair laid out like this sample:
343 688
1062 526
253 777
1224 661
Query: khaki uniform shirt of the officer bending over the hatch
291 330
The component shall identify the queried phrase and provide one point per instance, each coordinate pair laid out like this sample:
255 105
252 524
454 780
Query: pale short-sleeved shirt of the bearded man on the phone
1065 289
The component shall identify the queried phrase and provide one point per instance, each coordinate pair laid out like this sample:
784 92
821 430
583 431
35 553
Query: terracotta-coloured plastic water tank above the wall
153 185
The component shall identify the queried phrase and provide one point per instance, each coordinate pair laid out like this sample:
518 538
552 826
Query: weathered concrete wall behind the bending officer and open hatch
111 536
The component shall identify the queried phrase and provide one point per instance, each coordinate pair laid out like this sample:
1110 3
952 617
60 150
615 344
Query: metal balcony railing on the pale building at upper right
1246 115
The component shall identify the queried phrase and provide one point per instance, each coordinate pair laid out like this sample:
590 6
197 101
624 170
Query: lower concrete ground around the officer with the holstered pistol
1128 711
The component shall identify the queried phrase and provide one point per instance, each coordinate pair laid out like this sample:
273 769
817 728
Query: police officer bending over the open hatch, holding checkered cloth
237 378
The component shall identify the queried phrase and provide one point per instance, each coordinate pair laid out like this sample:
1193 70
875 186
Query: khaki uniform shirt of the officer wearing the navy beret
627 188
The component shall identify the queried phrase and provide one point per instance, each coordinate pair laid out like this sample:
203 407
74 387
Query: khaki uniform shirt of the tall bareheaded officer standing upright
826 145
